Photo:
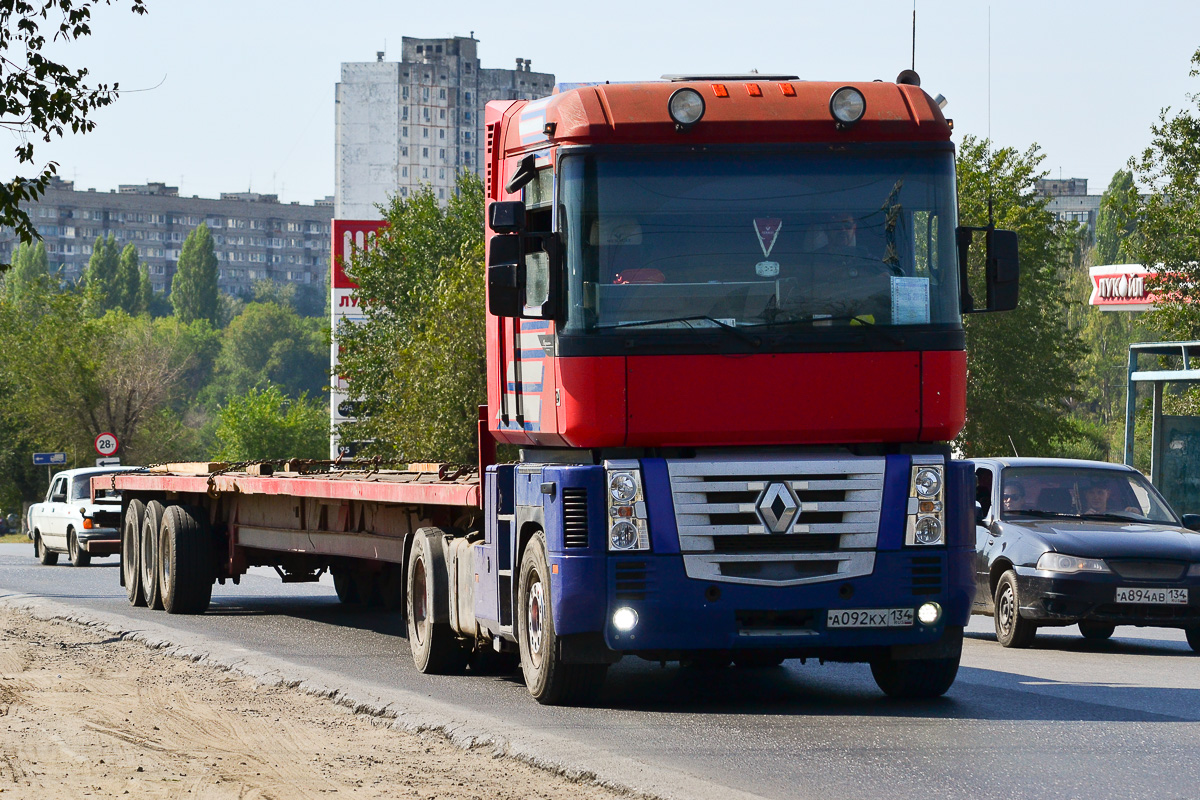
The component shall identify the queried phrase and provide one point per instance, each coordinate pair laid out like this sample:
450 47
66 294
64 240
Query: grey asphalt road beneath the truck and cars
1066 719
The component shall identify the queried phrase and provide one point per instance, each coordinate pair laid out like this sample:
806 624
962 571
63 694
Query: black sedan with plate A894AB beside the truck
1081 543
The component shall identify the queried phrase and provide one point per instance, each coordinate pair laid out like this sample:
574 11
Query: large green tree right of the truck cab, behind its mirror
1021 364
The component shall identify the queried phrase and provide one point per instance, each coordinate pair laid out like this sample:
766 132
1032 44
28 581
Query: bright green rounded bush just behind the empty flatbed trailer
266 425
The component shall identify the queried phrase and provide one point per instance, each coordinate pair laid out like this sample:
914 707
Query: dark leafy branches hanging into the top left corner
41 99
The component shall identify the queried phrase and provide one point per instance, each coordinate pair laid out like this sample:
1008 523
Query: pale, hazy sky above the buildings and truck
223 97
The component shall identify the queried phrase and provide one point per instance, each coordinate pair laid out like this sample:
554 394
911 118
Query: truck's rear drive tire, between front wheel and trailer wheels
436 649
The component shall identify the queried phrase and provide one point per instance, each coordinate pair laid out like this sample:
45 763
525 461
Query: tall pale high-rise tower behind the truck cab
421 121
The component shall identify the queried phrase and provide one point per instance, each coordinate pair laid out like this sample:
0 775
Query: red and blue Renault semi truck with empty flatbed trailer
725 332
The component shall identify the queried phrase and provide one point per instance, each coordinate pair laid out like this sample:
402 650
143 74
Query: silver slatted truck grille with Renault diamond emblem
778 522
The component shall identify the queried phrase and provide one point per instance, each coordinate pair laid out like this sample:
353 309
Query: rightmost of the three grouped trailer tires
185 561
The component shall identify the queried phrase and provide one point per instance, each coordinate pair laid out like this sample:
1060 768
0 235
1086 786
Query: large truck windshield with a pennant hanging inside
758 239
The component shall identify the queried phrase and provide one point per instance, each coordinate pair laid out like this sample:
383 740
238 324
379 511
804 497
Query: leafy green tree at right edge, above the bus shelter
1169 218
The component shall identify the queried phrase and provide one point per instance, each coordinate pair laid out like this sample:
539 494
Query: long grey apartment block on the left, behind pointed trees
255 236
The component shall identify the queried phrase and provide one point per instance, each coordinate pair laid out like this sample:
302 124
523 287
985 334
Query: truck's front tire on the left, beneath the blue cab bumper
550 681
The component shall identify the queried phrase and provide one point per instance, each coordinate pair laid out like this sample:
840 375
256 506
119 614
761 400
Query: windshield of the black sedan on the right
1085 492
